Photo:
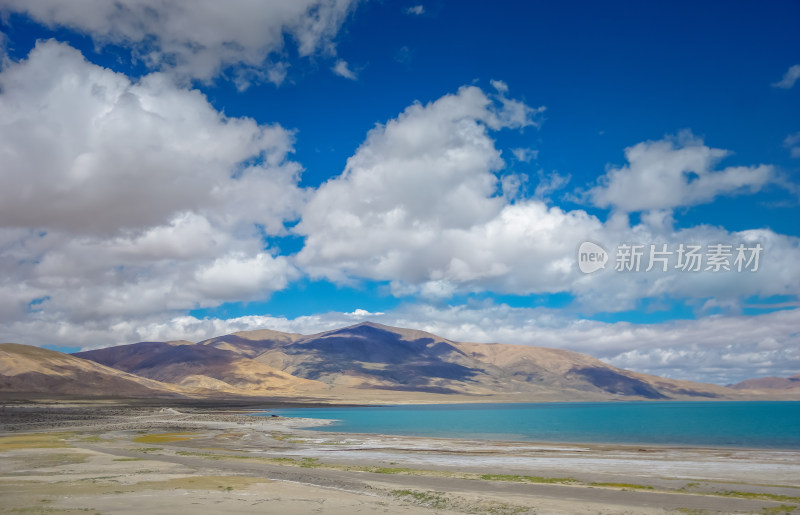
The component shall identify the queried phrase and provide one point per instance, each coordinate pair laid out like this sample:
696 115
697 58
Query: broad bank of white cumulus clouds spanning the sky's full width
148 199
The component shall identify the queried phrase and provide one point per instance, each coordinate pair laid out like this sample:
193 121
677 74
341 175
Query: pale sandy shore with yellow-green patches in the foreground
111 458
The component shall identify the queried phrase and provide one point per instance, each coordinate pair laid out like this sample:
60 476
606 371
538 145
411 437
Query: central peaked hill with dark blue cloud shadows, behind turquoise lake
374 356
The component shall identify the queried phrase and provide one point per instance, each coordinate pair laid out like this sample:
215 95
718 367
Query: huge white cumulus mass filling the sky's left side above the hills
121 199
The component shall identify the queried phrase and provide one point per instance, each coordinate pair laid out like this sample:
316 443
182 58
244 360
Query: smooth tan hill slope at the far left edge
28 369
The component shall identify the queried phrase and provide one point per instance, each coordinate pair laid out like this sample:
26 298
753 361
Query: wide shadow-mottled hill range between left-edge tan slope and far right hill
373 362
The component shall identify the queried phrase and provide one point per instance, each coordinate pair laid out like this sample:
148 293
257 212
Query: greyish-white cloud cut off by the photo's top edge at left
202 38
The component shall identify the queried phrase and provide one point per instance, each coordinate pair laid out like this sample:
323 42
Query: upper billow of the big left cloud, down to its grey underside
78 140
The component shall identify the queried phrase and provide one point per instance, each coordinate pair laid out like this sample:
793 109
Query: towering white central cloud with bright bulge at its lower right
419 204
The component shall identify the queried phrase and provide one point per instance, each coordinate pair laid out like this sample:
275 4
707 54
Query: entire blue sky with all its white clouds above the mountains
430 164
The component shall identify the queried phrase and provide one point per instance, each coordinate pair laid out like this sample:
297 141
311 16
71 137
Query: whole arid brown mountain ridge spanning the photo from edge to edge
366 362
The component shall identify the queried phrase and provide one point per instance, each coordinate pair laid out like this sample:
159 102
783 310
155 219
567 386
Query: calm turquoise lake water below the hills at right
738 424
